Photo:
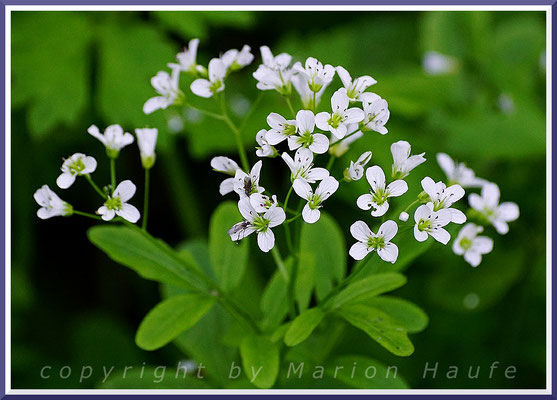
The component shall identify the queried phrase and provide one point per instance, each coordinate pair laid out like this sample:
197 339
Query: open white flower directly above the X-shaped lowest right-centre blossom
379 194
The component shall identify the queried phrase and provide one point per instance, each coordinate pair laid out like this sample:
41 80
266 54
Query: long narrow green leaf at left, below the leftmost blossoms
151 258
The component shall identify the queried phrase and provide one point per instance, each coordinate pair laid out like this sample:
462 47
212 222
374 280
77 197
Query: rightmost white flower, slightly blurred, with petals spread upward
488 205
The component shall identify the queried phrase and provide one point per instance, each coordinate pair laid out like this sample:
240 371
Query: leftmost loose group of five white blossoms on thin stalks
115 197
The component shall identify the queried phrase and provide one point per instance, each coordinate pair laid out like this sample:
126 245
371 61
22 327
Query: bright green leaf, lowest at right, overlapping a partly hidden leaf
379 326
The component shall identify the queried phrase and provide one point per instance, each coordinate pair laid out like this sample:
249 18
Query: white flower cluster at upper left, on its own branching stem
209 81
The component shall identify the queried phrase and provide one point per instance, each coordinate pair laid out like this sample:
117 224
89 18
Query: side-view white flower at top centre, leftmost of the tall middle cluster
274 73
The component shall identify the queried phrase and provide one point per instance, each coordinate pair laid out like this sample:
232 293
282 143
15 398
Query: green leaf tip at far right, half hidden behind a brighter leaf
401 311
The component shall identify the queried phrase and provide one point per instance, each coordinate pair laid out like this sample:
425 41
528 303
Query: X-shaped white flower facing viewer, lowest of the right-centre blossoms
367 241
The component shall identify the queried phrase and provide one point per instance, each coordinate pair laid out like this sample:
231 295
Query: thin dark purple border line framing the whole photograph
249 2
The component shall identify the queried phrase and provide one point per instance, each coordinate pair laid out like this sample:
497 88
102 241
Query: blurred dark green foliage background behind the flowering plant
73 69
